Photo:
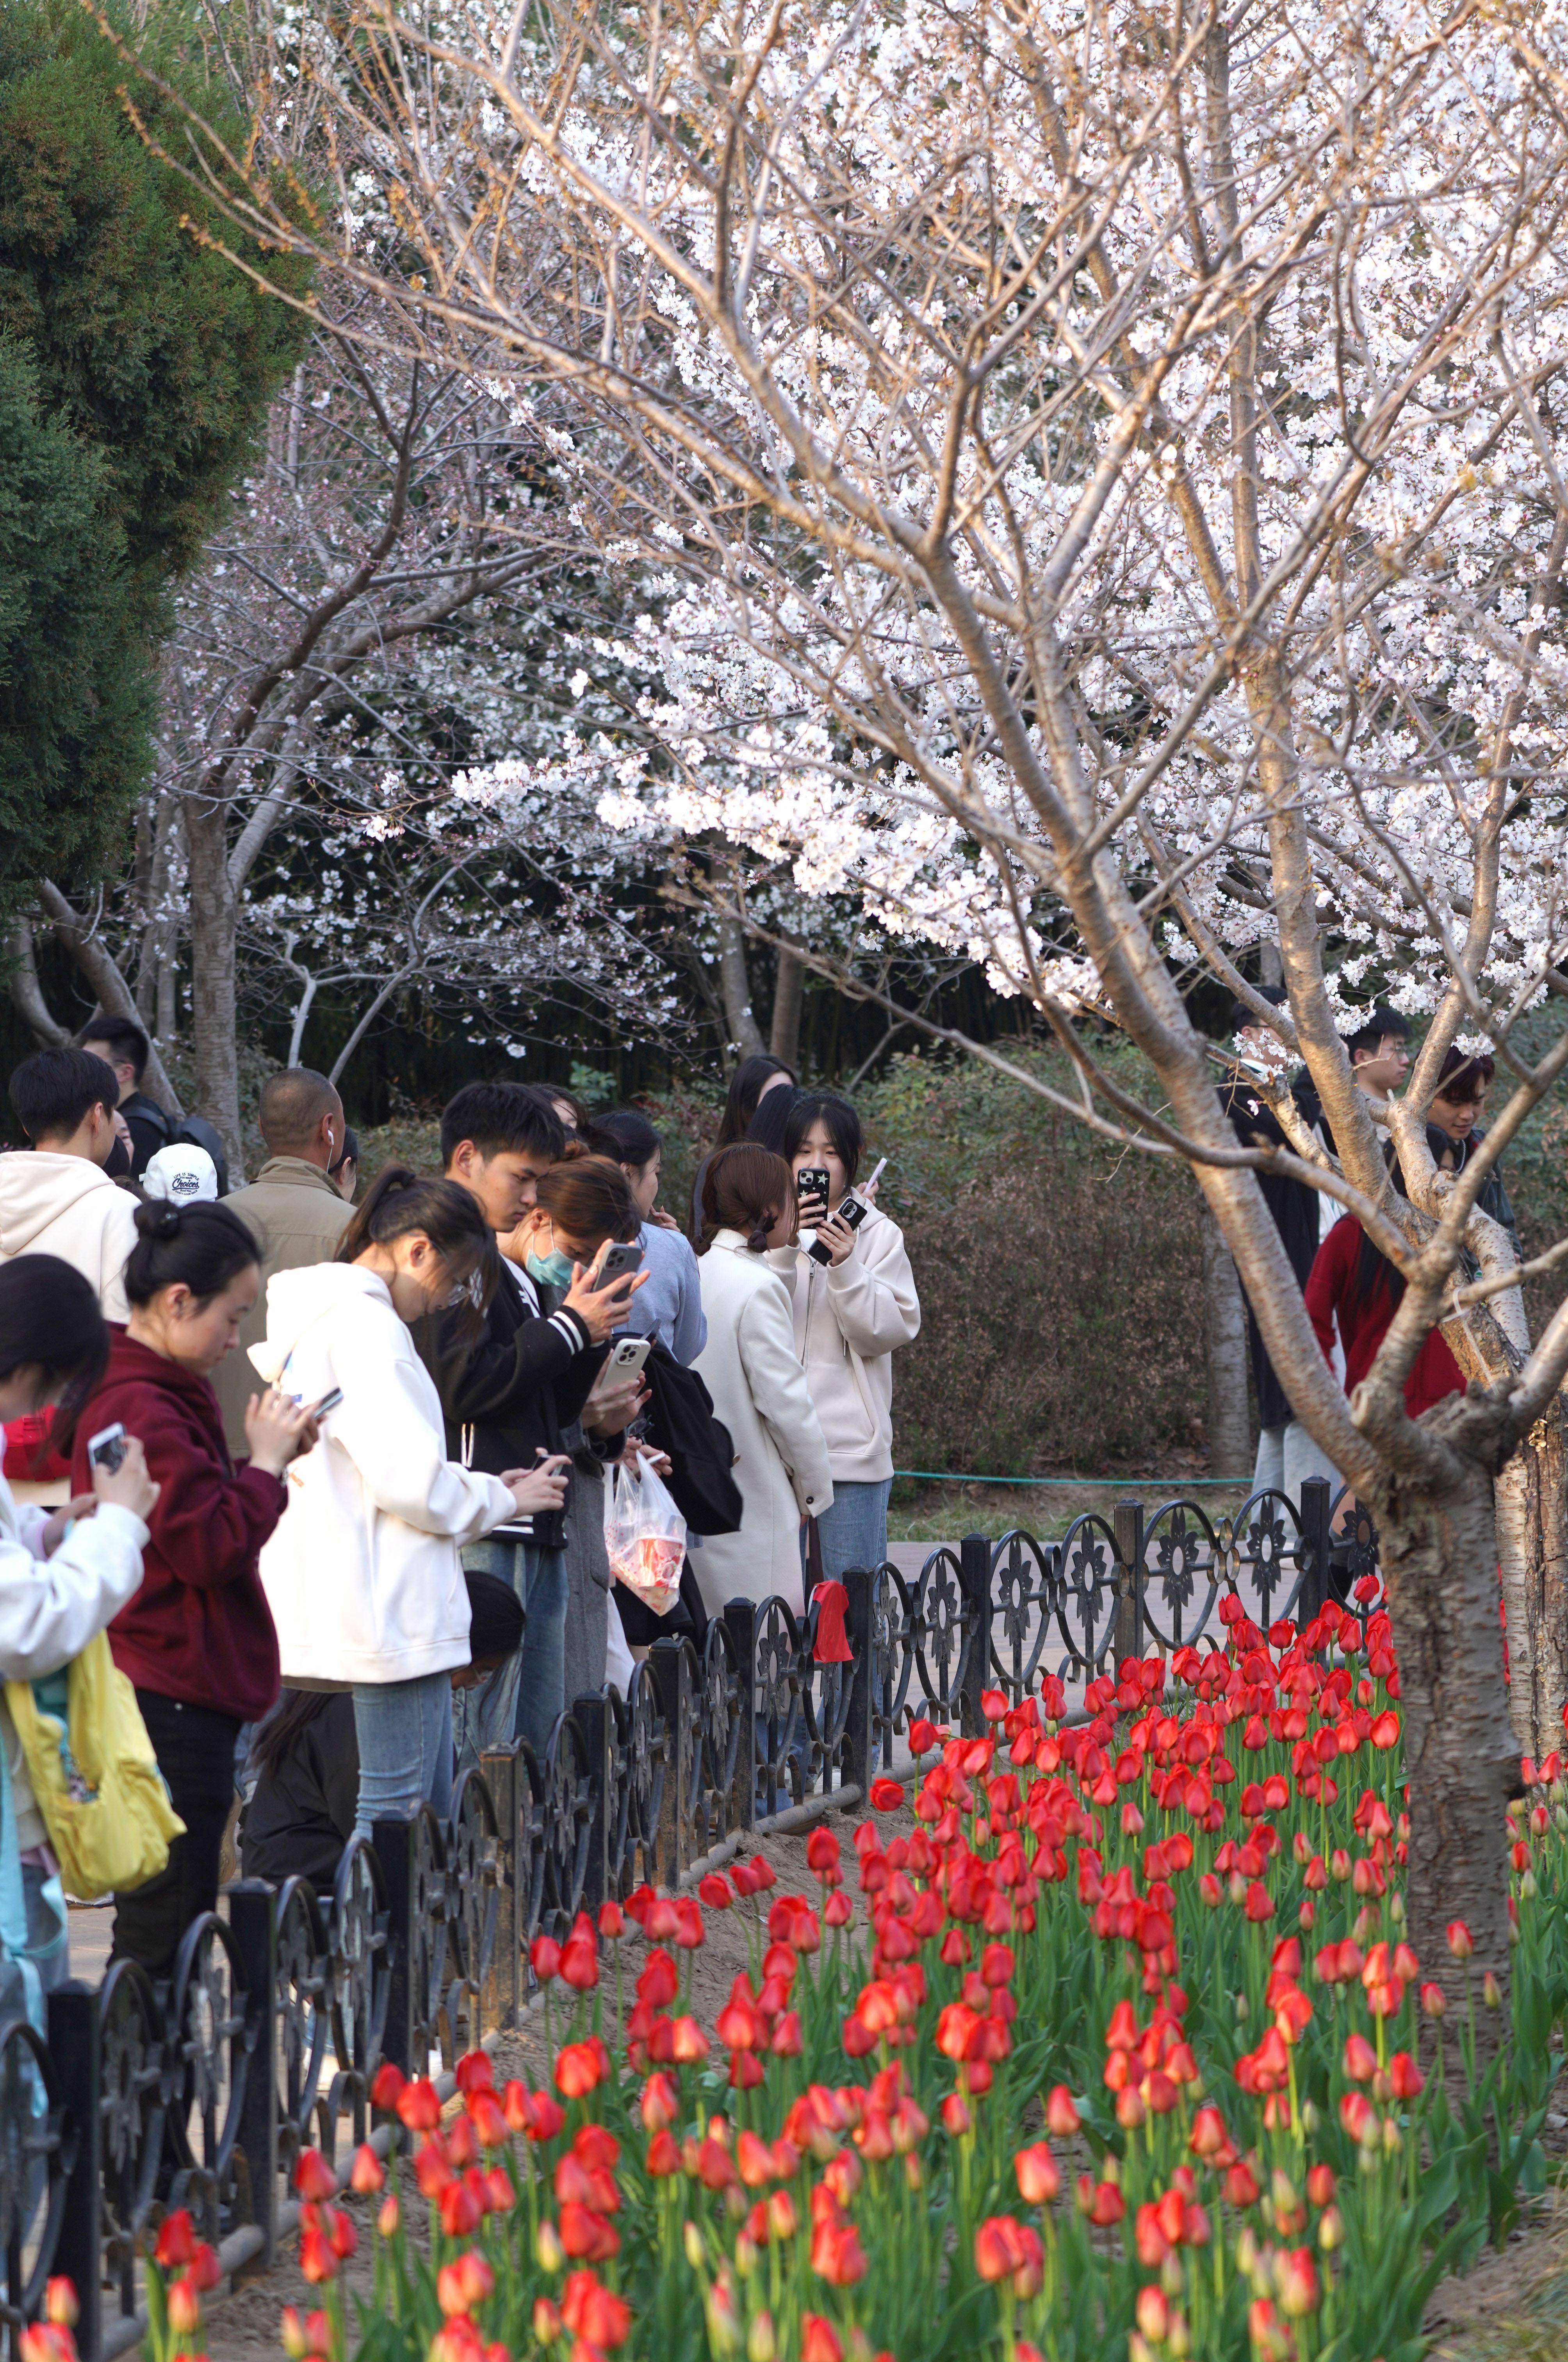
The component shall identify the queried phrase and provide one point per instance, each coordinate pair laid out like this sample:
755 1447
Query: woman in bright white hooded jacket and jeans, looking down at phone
362 1574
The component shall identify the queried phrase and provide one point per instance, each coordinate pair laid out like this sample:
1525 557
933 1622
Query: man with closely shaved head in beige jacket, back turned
294 1211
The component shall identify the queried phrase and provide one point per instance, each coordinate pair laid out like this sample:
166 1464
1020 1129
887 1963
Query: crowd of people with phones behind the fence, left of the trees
332 1463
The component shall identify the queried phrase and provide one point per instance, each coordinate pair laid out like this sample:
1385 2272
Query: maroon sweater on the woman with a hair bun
200 1629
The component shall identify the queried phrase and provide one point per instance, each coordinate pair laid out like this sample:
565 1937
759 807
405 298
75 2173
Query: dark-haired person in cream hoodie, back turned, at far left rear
58 1199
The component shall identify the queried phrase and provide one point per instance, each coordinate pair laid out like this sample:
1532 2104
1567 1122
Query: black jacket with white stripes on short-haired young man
516 1390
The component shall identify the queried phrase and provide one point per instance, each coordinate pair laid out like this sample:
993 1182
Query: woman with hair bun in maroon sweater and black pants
197 1638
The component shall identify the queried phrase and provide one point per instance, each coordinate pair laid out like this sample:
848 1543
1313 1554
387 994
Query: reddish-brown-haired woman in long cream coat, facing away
759 1388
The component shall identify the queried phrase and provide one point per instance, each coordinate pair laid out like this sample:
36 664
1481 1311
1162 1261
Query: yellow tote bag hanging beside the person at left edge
96 1775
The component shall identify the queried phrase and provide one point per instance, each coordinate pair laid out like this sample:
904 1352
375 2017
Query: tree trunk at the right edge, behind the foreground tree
1534 1560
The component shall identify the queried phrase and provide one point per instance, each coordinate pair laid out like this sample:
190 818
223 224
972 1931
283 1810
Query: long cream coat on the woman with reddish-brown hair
762 1395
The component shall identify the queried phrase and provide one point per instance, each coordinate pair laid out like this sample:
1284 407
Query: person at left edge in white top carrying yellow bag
63 1577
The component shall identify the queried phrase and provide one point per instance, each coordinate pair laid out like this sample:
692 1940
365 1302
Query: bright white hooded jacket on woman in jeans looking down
362 1572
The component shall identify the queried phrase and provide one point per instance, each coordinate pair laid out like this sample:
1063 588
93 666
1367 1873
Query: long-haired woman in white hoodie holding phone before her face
851 1317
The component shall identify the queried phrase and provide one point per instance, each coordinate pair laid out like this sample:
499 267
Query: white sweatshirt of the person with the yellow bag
53 1607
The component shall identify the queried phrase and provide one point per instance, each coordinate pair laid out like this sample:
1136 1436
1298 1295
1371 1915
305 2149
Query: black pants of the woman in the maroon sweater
195 1751
